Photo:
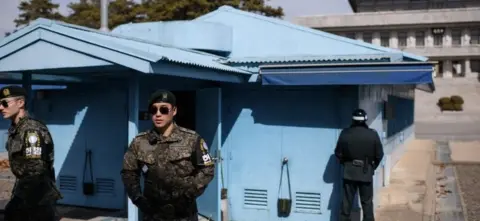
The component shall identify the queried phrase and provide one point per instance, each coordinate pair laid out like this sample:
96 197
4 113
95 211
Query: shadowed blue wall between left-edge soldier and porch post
88 118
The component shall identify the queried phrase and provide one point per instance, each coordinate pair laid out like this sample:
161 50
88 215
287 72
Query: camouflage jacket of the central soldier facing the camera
177 168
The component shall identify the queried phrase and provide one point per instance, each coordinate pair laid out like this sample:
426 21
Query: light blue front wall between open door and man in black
273 124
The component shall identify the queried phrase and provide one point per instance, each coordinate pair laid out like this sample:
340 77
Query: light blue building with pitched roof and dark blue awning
258 89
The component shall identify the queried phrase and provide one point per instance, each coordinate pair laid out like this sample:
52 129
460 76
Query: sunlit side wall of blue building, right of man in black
395 131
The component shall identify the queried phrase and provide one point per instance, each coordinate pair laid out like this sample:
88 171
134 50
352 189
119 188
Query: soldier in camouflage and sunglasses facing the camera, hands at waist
174 161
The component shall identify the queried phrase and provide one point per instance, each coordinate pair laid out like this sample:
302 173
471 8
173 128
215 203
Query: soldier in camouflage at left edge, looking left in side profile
30 152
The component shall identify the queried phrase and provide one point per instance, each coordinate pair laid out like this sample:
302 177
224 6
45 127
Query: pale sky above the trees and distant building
292 8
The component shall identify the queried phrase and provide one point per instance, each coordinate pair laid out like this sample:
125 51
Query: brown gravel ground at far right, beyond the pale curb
469 180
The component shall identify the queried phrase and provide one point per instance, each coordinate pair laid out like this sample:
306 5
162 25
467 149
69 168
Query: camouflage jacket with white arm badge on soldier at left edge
30 152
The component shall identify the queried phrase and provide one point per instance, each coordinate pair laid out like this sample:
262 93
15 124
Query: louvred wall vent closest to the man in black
308 202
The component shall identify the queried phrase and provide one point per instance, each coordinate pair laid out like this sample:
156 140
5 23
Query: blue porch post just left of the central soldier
133 109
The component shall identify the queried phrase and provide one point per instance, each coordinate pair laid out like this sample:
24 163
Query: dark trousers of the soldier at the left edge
17 210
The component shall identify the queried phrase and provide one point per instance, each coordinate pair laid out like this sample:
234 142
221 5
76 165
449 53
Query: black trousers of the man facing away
365 190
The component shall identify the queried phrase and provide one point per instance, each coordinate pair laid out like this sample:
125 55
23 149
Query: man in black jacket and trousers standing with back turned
360 151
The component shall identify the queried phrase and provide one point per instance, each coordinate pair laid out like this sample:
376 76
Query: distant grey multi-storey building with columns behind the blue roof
446 31
